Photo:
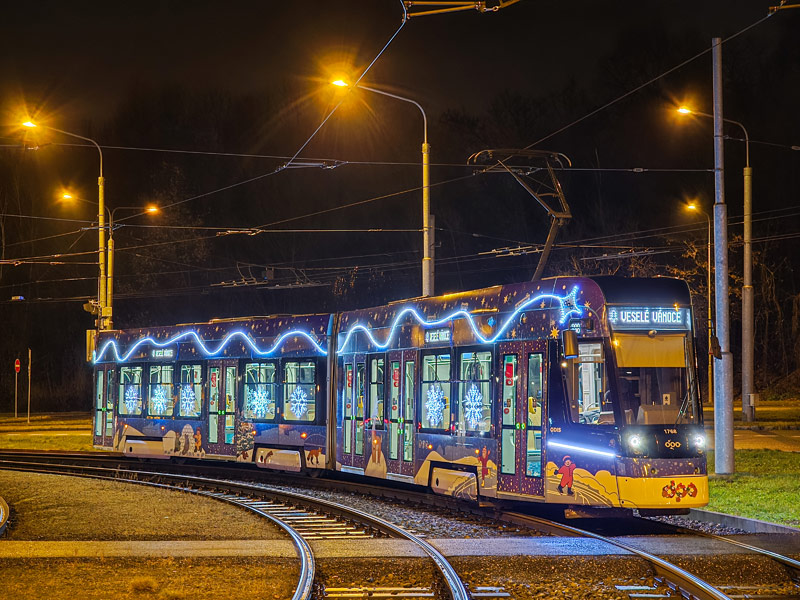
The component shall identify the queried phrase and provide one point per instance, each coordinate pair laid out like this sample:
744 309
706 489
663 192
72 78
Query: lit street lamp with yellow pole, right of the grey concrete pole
748 342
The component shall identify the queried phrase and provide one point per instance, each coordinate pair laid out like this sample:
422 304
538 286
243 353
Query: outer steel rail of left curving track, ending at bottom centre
453 582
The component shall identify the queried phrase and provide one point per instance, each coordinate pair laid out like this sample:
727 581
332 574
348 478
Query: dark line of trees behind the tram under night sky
170 268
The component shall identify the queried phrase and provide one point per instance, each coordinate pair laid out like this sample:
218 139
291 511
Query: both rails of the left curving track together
240 493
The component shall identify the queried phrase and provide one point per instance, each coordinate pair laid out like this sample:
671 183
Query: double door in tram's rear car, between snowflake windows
222 388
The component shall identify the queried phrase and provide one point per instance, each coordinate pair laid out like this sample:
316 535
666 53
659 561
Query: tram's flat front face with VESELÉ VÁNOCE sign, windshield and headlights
661 458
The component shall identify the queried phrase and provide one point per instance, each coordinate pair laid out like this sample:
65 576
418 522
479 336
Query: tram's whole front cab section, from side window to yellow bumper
631 434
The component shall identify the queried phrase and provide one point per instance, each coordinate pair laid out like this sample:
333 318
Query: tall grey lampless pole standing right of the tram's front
723 374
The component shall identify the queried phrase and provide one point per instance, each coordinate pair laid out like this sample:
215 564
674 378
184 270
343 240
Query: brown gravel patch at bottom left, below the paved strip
149 579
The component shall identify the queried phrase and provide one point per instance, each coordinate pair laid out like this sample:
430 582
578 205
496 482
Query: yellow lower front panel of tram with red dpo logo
679 491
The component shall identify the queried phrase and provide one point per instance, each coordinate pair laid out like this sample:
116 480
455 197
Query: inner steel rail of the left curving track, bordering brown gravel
304 588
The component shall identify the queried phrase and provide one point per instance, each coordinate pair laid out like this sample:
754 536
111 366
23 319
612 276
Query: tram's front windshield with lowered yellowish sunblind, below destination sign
656 377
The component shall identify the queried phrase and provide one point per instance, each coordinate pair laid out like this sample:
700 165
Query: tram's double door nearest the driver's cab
522 393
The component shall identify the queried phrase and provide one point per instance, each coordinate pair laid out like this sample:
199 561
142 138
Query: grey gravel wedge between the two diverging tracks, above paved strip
424 521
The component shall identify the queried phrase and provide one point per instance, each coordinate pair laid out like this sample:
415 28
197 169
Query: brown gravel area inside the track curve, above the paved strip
57 507
